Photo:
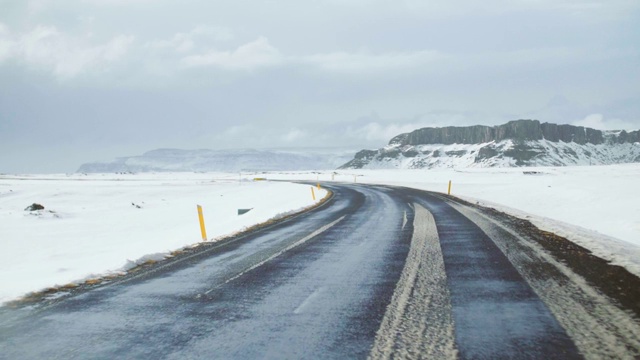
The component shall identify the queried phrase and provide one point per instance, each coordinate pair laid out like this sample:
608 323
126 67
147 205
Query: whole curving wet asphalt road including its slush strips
376 272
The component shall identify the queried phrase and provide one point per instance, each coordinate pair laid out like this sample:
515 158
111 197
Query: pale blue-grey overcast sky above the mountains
85 80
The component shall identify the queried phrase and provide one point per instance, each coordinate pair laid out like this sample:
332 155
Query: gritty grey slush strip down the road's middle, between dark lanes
421 297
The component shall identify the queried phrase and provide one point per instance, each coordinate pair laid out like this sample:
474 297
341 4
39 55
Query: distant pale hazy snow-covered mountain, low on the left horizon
224 160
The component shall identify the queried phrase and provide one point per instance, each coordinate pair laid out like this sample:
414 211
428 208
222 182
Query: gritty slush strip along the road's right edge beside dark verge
598 327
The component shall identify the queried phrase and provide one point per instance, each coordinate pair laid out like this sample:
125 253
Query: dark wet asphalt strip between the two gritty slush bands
496 312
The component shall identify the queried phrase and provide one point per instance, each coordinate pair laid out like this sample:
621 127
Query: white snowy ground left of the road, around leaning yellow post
106 223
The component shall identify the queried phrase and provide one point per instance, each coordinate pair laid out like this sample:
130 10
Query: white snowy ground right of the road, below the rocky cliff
597 207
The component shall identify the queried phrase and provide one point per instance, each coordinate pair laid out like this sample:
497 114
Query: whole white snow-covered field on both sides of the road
106 223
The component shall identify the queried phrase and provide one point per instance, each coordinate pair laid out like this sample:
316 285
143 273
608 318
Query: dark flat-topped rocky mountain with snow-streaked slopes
517 143
